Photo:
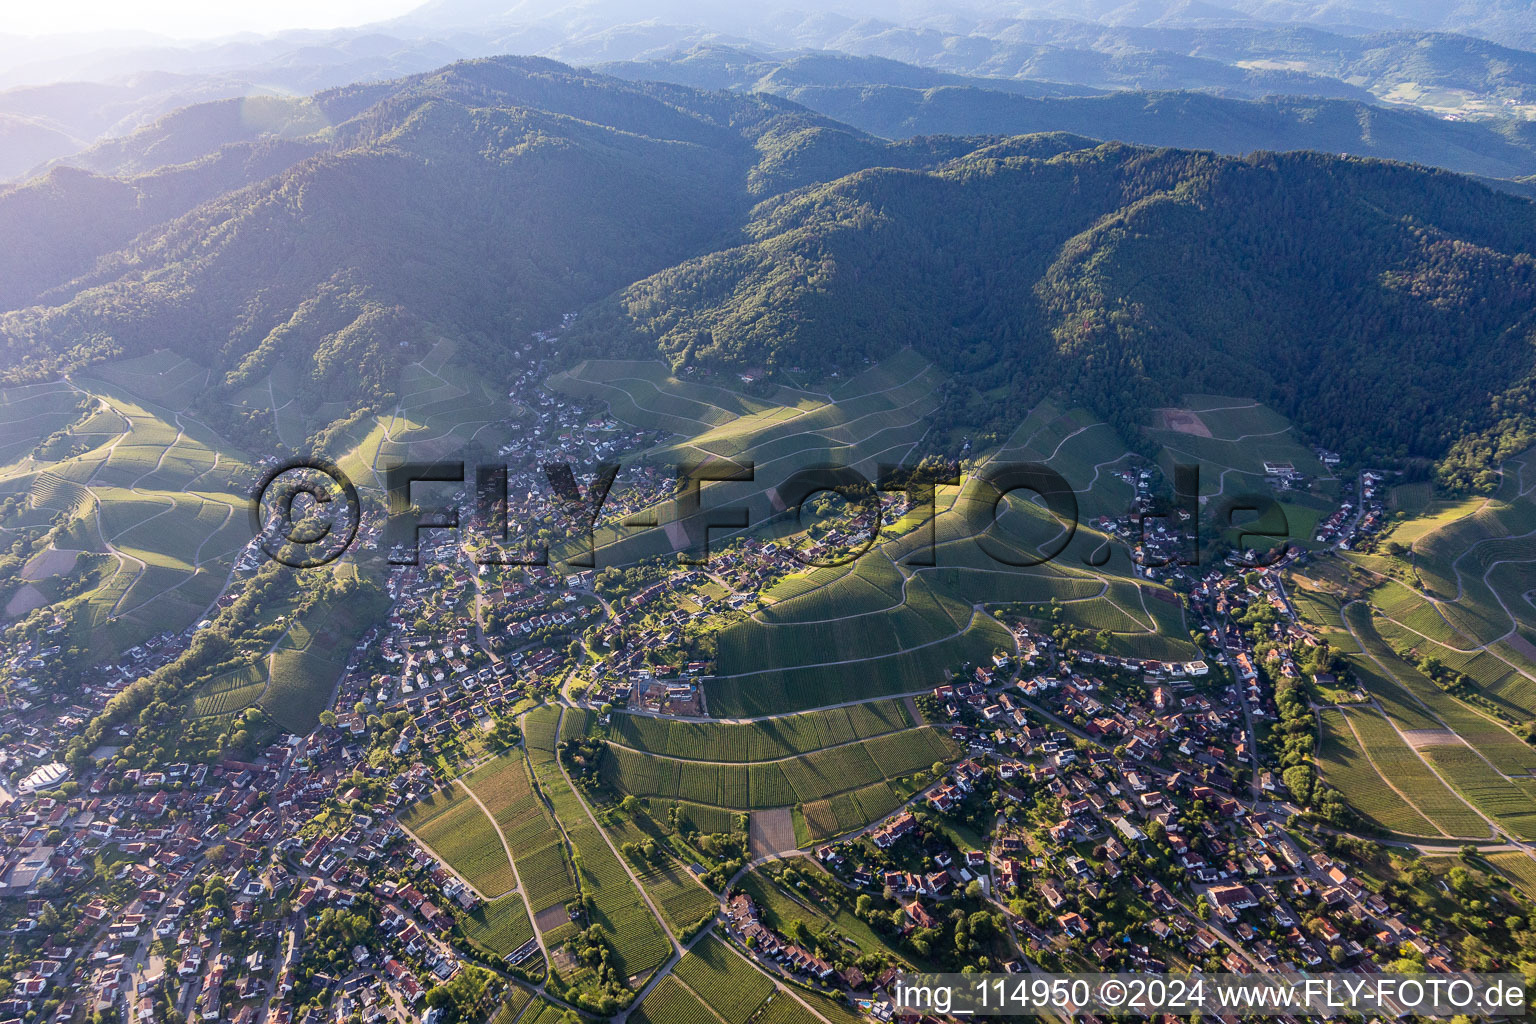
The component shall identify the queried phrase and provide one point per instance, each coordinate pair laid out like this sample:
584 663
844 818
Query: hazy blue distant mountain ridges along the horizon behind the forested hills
1050 50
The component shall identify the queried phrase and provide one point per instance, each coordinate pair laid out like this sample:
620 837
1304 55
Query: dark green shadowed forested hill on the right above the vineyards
1380 306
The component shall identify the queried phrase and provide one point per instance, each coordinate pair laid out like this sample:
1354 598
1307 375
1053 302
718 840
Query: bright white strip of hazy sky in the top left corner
191 18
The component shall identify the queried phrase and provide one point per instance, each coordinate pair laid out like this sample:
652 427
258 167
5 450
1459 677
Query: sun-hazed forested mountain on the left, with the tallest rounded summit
477 203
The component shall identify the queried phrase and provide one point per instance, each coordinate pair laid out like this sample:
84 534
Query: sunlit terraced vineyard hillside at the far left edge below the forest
151 495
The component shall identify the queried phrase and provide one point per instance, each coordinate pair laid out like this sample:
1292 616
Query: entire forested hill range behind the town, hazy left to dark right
1382 306
